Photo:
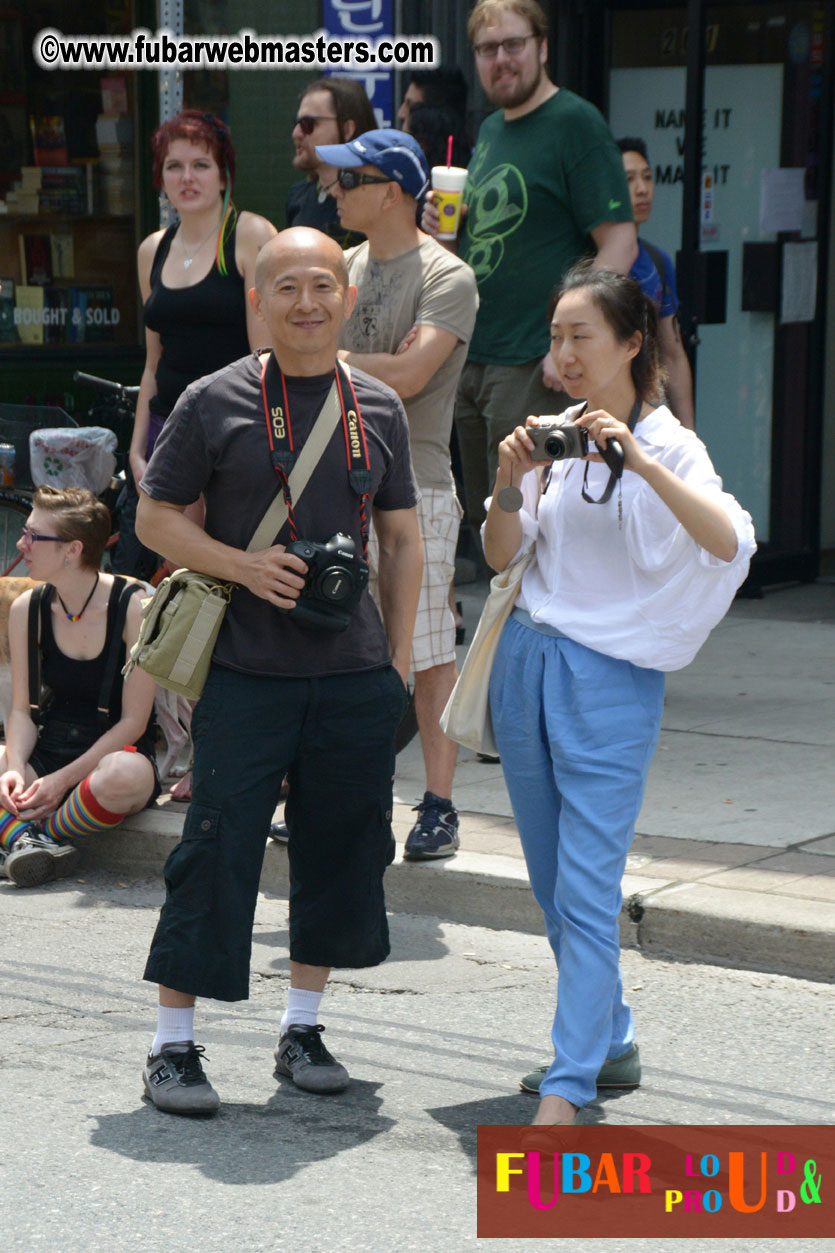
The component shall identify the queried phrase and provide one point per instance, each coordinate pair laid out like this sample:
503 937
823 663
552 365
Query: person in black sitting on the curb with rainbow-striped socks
80 751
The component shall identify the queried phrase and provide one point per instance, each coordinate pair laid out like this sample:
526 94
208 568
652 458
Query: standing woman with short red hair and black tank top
194 276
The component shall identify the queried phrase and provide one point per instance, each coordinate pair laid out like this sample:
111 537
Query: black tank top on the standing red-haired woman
202 329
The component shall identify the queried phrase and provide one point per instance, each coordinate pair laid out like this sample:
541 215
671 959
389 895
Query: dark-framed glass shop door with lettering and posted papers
759 211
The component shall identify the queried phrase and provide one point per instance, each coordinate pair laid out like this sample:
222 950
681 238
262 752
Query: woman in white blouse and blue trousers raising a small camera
625 585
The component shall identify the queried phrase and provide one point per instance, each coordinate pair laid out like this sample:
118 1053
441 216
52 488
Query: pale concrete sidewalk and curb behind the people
734 859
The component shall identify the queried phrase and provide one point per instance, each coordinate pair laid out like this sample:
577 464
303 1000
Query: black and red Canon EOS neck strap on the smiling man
285 455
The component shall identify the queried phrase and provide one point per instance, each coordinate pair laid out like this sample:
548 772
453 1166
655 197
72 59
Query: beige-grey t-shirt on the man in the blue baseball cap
427 286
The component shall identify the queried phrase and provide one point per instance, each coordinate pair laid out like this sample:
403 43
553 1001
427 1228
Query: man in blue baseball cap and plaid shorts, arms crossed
412 325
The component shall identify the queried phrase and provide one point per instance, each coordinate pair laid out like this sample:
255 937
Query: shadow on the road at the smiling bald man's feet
250 1145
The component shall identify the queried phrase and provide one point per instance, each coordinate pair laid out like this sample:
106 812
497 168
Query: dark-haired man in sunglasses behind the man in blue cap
330 112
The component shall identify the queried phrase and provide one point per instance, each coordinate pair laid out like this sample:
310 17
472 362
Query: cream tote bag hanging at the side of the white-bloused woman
467 717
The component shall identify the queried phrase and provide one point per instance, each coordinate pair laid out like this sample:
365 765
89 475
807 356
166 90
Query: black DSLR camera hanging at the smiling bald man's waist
335 581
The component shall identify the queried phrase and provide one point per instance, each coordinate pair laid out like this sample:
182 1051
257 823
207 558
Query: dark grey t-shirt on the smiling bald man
216 443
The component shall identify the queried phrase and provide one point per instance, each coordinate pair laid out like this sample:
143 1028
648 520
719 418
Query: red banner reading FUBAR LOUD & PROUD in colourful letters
675 1182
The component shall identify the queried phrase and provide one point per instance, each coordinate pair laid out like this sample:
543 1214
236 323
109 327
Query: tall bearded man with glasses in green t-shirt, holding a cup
546 187
